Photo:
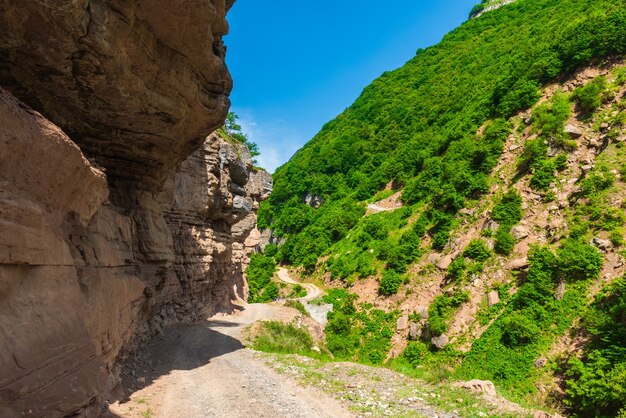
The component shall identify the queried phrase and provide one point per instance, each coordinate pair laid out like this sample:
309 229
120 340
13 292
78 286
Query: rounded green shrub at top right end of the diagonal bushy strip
578 261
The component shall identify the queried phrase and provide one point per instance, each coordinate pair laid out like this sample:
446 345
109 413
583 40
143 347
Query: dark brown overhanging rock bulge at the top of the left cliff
137 85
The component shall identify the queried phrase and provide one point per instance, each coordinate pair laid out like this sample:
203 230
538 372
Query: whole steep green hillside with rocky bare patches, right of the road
467 207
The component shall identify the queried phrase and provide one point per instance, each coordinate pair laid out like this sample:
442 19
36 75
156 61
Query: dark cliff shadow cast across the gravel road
180 347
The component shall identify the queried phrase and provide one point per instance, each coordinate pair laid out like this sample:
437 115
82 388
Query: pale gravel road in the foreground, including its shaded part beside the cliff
203 370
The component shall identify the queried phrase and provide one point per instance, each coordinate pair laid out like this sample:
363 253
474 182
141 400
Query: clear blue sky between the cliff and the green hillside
297 64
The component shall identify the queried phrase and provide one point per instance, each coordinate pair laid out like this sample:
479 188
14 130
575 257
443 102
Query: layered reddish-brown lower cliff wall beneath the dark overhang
77 292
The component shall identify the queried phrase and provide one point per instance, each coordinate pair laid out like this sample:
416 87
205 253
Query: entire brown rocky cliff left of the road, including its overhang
117 213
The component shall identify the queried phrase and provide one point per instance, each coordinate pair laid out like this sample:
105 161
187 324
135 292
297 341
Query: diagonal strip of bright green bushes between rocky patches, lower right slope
507 351
